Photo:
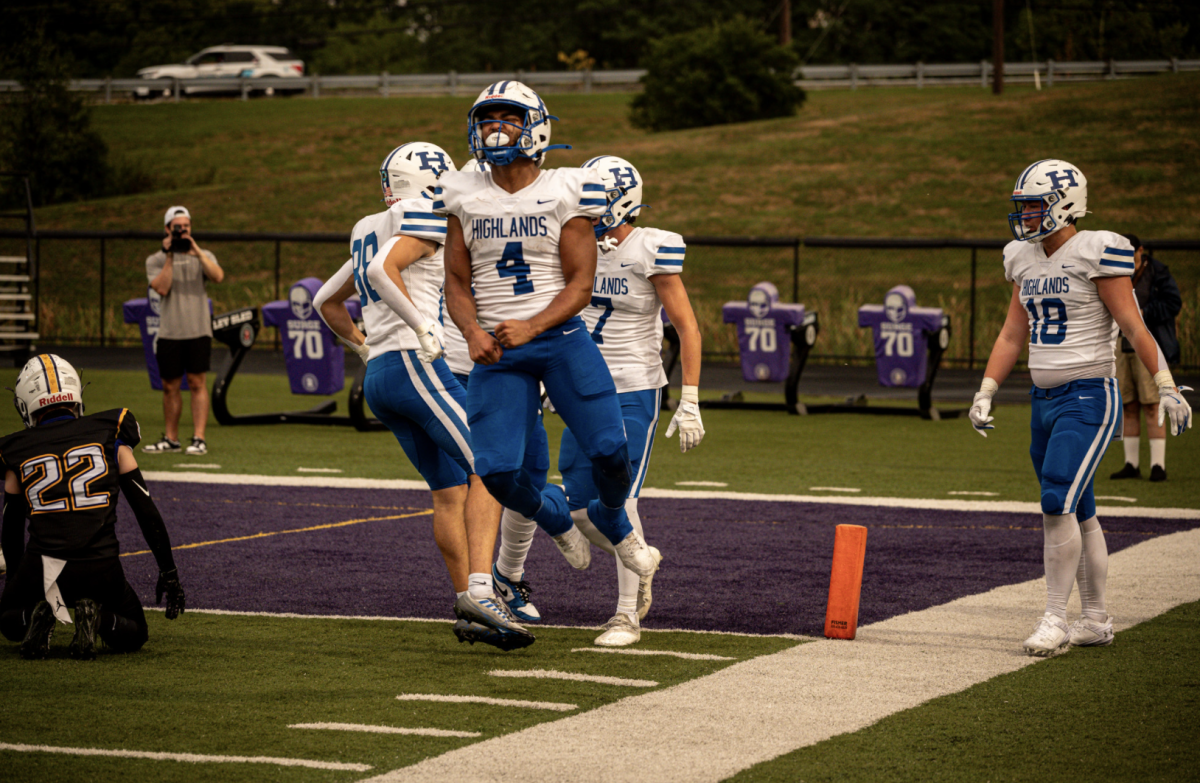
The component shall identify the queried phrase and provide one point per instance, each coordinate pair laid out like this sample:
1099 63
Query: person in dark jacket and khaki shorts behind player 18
1159 296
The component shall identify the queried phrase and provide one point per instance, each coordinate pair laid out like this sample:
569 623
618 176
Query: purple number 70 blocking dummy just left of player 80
315 358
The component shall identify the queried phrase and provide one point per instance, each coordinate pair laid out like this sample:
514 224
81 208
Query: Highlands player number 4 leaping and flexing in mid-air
520 262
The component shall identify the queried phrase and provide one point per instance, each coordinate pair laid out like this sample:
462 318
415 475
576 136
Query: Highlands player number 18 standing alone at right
1071 291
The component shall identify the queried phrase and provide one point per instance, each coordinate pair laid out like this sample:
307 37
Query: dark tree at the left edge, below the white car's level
47 132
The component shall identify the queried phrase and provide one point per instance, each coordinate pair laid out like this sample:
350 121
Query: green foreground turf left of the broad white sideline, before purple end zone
232 685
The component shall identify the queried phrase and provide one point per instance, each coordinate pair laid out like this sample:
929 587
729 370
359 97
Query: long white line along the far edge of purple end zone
933 504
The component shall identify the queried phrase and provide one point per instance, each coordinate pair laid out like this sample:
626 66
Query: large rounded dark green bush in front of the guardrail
730 73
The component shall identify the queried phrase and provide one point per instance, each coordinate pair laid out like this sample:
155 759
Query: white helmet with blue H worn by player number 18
1061 190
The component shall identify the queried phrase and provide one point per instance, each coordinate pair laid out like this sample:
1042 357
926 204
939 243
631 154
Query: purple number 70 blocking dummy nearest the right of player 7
765 338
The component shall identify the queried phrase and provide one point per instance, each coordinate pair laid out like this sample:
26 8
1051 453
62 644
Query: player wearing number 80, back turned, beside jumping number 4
398 274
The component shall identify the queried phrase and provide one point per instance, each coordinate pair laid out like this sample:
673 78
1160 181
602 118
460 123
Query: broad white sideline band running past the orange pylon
809 694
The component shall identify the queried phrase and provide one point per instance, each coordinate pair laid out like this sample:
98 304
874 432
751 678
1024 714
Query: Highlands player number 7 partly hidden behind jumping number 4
638 277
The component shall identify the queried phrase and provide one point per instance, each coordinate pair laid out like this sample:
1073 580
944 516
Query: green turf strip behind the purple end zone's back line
748 451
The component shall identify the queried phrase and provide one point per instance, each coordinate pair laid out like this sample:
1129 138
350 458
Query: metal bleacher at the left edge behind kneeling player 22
19 284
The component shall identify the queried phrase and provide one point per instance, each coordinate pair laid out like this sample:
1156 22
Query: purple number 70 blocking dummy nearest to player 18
901 343
